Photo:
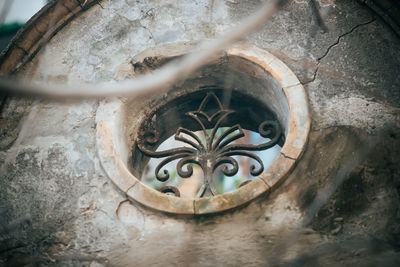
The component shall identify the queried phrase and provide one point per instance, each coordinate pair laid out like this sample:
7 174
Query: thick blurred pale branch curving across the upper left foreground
158 80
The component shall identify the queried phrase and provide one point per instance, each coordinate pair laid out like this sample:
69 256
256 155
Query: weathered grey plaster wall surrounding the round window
58 206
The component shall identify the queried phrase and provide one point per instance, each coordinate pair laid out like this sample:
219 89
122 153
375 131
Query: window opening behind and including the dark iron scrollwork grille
220 149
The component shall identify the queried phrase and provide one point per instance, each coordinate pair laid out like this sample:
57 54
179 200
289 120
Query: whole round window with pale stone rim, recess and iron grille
227 134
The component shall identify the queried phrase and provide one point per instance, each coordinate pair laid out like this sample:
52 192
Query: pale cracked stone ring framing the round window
113 149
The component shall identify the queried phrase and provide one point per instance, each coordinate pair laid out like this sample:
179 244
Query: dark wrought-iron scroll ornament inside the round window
214 152
